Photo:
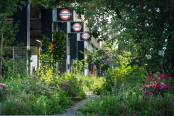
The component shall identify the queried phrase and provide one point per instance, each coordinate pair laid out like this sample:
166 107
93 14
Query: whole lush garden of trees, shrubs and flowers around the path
135 62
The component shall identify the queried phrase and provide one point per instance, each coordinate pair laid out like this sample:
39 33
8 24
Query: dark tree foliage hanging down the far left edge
7 33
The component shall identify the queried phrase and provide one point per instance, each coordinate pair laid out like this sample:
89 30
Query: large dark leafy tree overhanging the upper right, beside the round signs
143 27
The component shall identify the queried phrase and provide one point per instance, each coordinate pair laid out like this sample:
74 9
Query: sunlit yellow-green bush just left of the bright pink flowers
123 74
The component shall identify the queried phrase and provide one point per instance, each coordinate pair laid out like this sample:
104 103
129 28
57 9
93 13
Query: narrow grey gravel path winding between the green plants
73 111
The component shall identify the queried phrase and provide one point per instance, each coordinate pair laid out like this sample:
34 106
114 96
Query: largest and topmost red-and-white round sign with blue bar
65 14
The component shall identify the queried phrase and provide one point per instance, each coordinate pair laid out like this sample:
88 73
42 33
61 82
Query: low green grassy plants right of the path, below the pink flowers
128 103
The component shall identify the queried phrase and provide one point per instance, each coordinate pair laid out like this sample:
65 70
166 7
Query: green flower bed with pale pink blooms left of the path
34 96
